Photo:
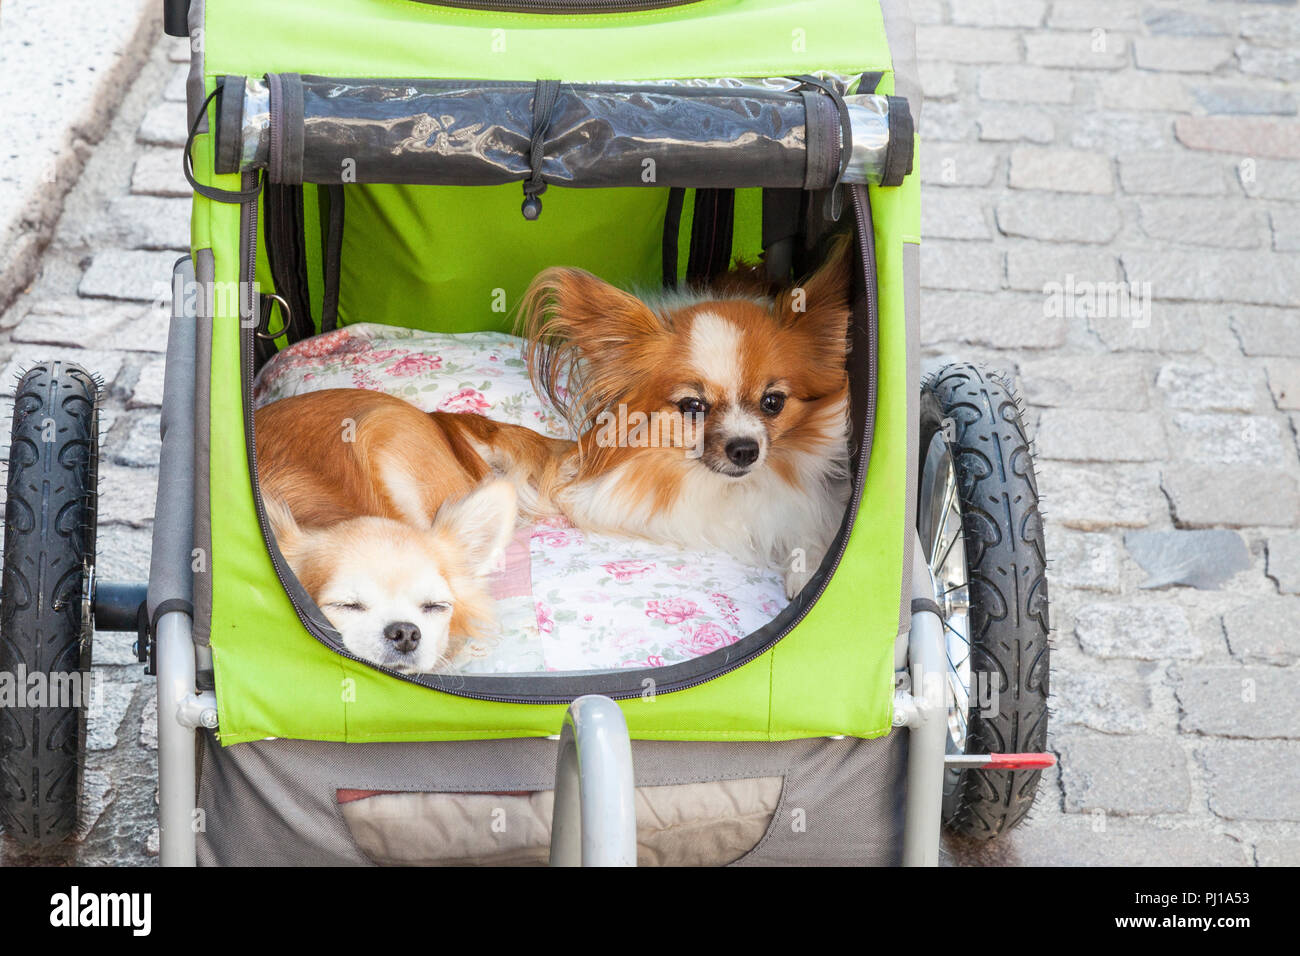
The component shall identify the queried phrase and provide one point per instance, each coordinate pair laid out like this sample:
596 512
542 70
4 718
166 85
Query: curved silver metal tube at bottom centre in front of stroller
595 820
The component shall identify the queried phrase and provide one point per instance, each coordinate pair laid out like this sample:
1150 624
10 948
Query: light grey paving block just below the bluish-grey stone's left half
1137 631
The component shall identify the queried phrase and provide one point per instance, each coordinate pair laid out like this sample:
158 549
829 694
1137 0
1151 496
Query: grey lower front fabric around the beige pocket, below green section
274 802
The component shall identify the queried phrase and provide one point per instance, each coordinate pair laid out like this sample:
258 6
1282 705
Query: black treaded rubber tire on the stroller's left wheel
49 538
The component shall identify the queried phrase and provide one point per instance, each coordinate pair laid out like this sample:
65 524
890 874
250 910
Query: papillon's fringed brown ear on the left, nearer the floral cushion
582 336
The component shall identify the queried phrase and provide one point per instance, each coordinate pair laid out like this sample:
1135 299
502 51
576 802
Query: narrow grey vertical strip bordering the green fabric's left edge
205 274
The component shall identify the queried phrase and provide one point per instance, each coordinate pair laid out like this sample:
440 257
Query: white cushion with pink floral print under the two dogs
566 600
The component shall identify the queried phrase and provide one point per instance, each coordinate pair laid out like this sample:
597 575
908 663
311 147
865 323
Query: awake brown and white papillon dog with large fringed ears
713 419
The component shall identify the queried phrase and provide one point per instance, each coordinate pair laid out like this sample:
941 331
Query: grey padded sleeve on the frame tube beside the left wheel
171 578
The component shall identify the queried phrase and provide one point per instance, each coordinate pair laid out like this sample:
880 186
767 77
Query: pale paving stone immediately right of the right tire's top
1085 382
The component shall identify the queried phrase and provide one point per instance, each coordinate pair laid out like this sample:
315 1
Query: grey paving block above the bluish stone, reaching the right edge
1208 496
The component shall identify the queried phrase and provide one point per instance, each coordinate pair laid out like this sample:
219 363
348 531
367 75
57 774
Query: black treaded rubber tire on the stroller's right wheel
1007 566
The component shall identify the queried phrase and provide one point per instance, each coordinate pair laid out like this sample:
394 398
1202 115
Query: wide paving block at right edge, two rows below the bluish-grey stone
1240 702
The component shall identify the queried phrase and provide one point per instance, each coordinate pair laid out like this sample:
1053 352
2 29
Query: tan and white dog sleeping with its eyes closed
389 520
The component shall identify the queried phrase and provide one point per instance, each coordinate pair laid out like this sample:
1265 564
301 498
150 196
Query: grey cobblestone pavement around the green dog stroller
1071 146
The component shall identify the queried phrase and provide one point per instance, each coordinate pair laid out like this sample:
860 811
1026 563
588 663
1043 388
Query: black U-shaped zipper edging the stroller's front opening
866 244
